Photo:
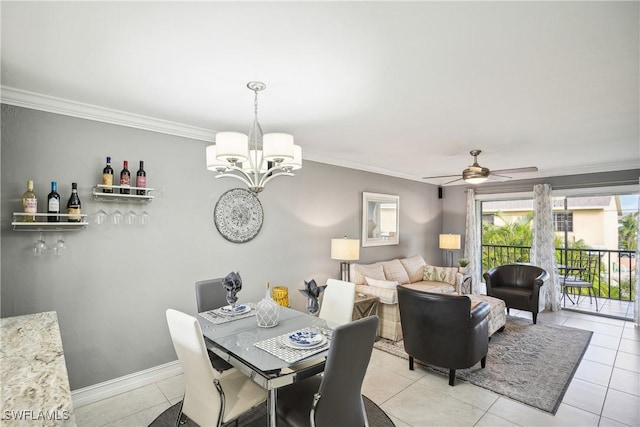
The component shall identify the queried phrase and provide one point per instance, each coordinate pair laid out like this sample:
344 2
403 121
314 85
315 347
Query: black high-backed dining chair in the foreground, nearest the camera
334 398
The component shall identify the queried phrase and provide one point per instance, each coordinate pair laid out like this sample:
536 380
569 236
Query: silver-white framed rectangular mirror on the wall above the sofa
380 219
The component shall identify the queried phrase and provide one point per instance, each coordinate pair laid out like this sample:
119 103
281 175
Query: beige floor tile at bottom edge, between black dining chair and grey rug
417 405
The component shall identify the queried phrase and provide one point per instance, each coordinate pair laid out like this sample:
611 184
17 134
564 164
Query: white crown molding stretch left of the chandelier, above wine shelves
51 104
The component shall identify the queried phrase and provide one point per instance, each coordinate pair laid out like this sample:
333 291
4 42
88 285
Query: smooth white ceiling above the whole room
404 89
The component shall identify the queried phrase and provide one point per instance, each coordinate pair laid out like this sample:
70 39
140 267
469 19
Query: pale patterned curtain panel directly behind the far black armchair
543 248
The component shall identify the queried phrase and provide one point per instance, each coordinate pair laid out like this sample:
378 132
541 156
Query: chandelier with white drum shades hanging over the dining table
255 159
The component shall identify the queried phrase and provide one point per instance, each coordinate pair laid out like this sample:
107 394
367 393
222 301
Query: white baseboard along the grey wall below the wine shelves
93 393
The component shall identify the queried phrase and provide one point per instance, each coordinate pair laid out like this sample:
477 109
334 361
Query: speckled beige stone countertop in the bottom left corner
33 374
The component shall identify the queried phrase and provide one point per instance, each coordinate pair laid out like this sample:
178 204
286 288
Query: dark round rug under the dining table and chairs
258 417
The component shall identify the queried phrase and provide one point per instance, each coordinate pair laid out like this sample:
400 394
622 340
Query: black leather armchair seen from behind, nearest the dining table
443 330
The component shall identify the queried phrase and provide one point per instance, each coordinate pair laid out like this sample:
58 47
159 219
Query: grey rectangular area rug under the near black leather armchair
532 364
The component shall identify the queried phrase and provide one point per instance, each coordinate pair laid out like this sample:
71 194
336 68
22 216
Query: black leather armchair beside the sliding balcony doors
518 285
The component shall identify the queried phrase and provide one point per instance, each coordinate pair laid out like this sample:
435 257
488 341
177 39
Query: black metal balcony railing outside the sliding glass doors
613 274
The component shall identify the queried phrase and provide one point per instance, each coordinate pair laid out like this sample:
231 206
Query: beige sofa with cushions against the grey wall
380 279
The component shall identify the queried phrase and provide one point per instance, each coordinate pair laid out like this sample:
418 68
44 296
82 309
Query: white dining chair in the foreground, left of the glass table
211 398
